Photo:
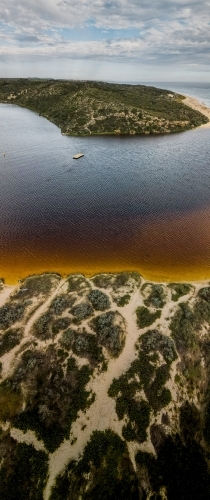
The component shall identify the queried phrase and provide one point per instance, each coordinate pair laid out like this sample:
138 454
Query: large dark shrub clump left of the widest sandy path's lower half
55 397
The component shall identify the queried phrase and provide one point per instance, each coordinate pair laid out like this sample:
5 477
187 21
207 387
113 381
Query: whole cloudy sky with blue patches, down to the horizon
119 40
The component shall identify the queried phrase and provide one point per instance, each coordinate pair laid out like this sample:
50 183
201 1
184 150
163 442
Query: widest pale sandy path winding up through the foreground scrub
101 415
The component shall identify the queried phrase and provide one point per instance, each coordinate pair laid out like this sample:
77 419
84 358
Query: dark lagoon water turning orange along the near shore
131 203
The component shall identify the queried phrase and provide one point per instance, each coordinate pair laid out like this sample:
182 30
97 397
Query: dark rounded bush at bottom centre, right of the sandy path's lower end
106 462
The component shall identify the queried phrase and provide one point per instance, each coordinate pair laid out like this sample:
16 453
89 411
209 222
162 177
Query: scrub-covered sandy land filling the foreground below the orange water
104 390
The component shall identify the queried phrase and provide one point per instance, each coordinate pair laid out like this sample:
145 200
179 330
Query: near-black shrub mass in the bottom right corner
181 464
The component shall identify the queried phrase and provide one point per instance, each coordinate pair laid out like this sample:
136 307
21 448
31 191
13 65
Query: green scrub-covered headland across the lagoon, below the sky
81 108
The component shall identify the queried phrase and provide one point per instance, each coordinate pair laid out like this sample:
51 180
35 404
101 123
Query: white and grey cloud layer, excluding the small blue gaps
172 31
